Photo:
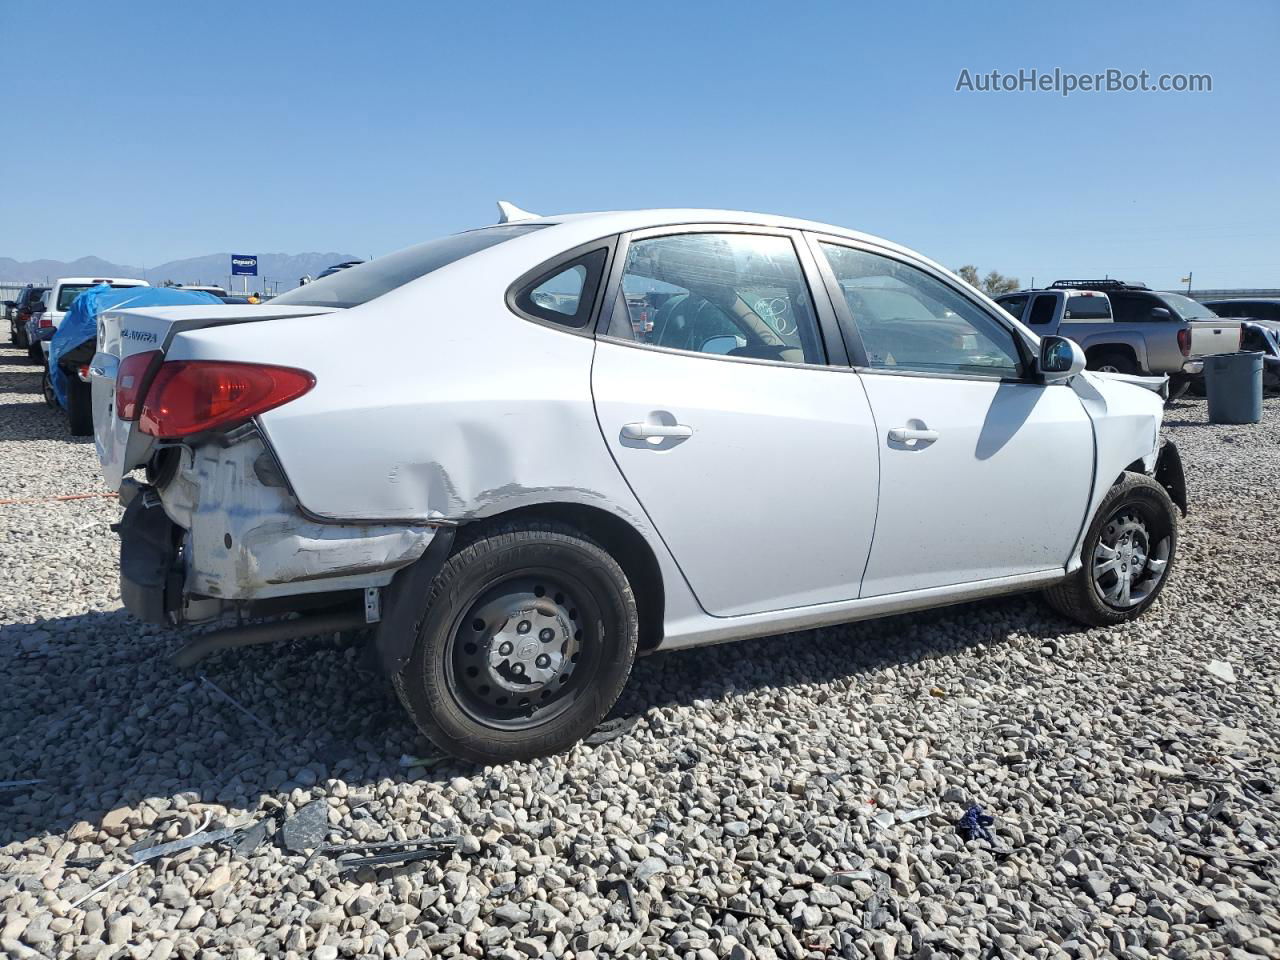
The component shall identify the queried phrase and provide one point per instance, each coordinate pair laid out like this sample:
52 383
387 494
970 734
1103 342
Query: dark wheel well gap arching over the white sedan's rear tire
616 536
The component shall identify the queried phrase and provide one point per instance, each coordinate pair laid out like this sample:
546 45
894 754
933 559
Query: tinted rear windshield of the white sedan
363 284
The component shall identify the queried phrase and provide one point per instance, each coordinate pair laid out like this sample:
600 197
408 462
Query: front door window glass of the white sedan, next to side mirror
911 322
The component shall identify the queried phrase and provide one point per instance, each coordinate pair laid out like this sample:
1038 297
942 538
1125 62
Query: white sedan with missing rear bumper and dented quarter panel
598 436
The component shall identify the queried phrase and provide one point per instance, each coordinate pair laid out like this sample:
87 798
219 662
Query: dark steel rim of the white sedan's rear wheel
520 653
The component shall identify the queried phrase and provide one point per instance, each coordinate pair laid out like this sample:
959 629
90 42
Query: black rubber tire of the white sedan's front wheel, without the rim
1080 597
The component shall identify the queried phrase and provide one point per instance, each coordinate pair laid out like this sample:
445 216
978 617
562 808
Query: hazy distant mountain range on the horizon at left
216 268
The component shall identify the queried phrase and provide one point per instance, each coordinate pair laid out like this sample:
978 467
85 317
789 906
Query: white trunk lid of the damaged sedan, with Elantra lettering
124 333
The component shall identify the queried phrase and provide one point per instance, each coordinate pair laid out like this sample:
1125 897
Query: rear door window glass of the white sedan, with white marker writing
733 295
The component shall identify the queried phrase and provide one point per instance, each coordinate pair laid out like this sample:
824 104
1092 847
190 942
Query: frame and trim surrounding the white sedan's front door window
858 354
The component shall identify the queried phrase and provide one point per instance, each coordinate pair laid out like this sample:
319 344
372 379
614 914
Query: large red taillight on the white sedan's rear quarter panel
190 397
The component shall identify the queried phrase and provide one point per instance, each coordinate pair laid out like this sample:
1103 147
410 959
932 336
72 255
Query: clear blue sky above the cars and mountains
163 131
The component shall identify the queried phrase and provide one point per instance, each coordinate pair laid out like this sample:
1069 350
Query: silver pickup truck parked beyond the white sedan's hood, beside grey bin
1084 312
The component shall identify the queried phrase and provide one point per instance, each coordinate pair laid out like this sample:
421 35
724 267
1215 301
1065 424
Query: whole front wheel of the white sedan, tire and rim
1128 555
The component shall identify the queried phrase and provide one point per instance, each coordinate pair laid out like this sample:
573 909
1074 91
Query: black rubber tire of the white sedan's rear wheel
452 711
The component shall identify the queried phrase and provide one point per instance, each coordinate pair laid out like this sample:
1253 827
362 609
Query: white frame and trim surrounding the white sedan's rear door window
828 326
